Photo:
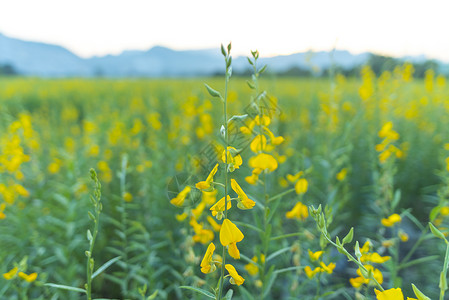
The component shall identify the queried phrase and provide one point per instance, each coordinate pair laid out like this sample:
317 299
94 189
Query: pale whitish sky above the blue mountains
99 27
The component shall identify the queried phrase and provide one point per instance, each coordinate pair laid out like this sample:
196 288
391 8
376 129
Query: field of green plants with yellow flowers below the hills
185 205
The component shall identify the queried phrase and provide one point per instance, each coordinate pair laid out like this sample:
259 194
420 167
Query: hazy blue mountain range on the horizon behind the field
47 60
